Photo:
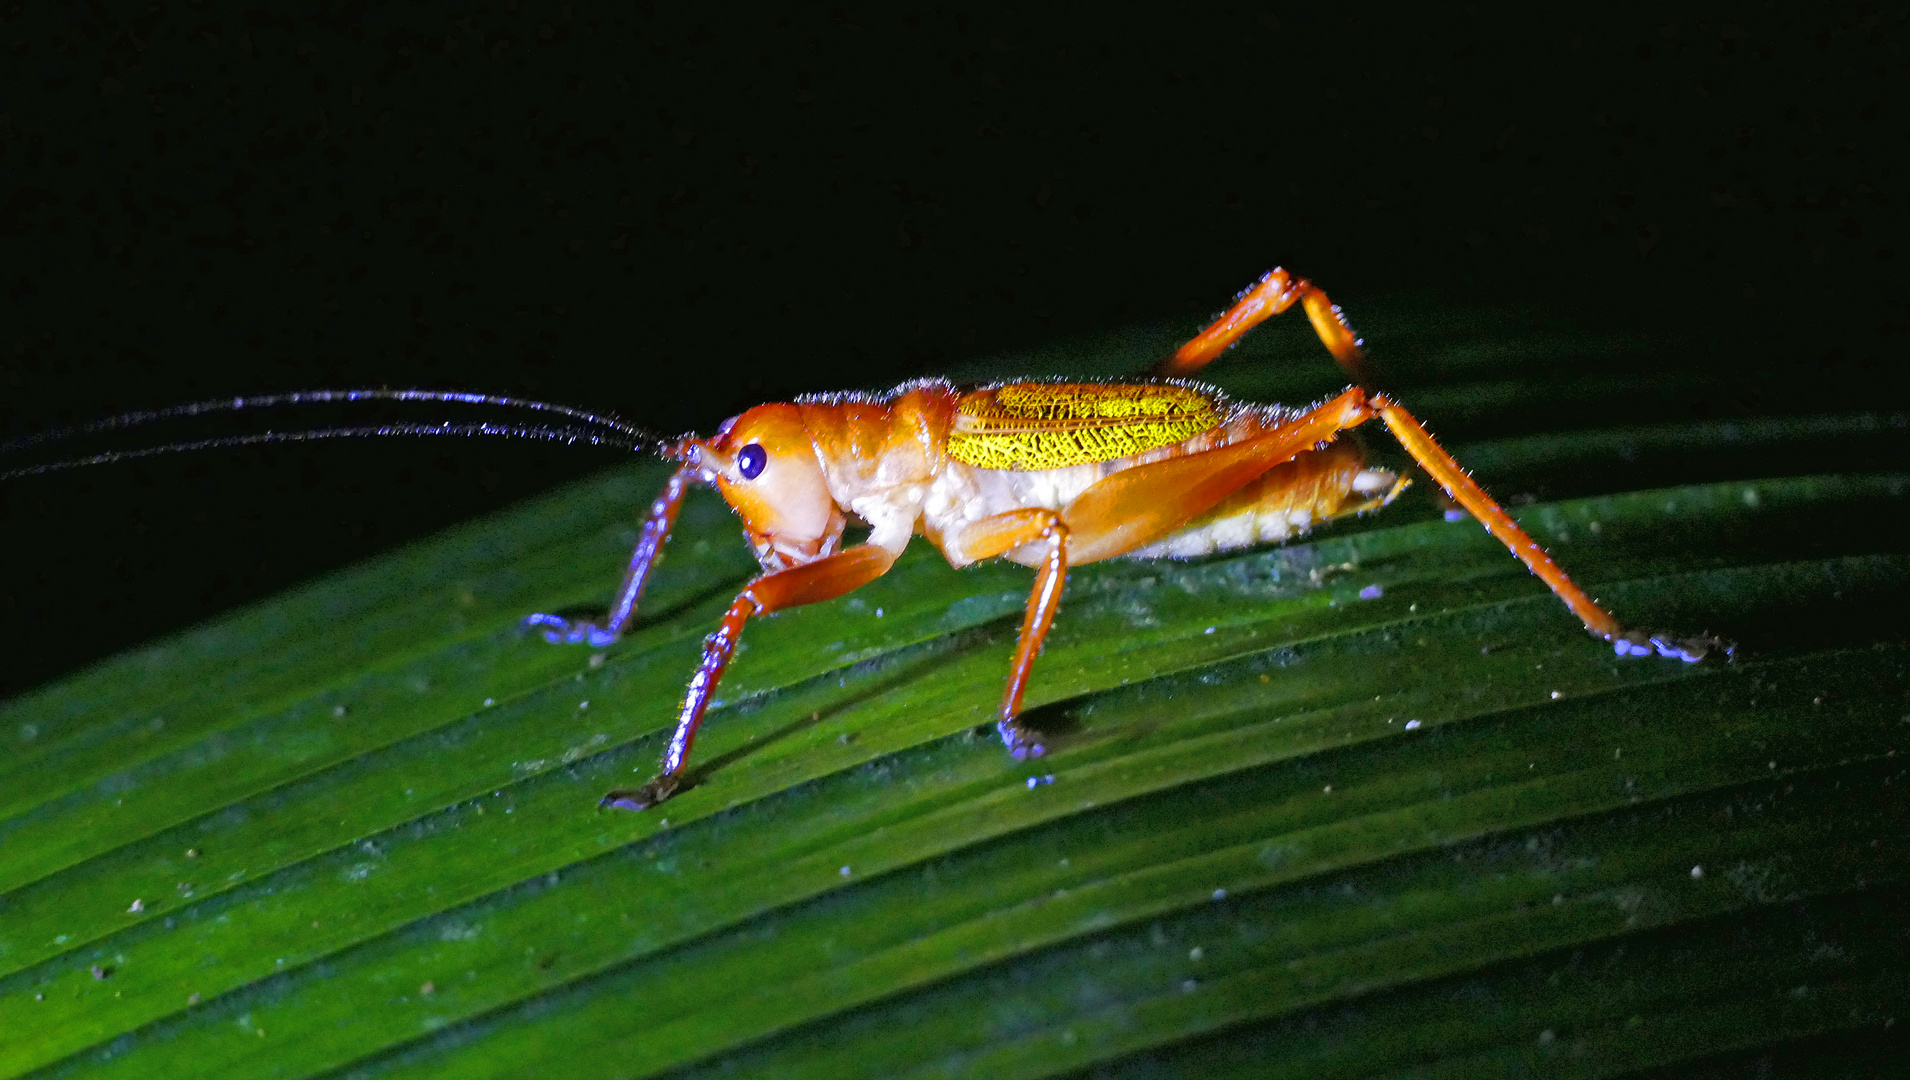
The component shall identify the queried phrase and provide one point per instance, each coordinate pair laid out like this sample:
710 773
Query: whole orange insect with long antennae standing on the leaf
1048 475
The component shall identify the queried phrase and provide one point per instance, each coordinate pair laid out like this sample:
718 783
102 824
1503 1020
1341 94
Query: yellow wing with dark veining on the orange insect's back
1053 425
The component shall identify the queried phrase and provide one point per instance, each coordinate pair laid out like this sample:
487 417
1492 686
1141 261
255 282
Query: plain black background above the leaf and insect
679 215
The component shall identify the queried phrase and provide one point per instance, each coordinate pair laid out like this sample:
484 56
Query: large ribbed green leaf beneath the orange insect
1361 806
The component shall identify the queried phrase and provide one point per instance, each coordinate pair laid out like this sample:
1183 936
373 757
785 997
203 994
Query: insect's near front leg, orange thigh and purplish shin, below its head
809 584
